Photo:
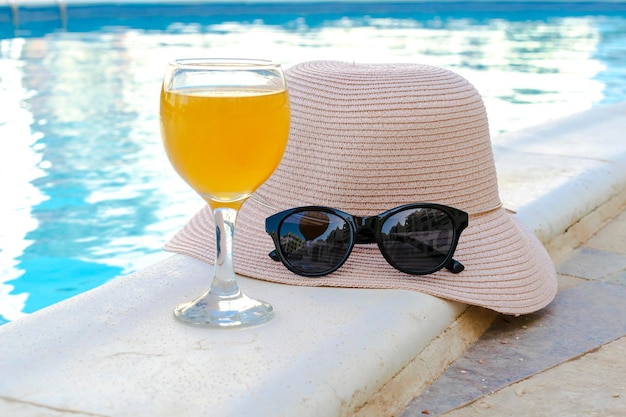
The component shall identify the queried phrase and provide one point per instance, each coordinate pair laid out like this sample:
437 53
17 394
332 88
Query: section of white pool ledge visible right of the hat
558 174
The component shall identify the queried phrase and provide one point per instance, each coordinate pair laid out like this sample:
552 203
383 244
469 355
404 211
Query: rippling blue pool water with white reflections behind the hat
87 194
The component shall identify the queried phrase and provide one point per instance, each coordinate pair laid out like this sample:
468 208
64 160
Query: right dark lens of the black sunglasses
418 240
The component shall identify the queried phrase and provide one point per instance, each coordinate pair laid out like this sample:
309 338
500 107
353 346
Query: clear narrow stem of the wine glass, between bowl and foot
224 283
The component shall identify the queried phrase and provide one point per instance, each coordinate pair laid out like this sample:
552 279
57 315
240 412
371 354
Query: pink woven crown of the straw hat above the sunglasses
368 137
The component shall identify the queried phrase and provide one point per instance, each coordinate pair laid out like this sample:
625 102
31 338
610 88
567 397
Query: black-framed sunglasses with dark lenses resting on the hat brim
416 239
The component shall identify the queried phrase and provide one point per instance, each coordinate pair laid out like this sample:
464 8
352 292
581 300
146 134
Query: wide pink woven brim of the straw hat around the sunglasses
506 267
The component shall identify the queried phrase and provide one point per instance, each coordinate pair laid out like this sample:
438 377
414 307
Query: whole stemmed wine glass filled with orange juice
225 124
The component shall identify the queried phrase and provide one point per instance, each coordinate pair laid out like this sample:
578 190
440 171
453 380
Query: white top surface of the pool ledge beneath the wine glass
325 353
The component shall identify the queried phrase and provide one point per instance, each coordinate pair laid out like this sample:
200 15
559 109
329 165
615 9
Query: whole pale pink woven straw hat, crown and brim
369 137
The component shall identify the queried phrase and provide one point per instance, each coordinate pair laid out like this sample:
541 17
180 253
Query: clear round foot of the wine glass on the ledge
219 311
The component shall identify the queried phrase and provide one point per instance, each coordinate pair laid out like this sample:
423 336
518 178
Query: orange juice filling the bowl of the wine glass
224 143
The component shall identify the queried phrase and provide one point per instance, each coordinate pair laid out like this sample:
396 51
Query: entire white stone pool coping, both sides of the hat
118 351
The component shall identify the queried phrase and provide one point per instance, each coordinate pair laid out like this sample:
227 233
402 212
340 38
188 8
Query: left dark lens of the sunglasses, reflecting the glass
314 242
